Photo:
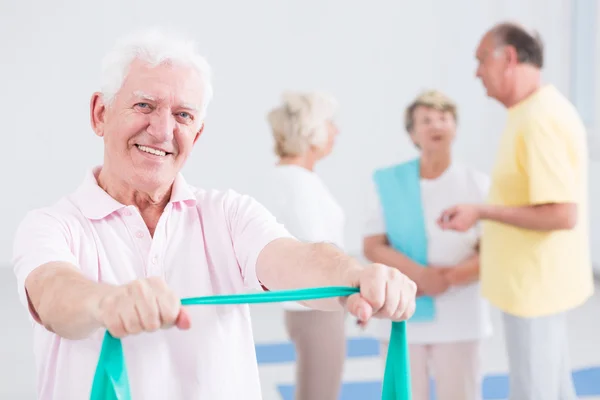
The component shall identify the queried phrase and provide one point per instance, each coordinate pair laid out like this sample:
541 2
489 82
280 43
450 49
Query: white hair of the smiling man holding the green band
154 47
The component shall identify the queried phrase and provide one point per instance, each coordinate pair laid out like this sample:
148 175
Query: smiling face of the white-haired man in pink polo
151 125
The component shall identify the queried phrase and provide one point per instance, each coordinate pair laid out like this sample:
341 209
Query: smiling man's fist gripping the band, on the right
384 293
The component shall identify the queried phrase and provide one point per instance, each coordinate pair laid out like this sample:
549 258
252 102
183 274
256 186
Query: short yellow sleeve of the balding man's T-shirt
548 157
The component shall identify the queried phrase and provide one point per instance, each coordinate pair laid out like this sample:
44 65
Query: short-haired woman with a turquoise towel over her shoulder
402 231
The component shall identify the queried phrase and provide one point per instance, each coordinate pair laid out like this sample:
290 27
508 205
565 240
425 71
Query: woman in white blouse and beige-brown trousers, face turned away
304 132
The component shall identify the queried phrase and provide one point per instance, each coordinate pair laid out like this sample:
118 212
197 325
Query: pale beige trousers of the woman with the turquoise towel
455 368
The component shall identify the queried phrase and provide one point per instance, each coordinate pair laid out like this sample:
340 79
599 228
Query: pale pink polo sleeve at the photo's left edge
40 238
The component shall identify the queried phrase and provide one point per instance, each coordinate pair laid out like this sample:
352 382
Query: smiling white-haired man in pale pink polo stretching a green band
134 238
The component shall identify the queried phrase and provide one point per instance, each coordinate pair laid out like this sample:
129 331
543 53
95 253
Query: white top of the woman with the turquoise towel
461 313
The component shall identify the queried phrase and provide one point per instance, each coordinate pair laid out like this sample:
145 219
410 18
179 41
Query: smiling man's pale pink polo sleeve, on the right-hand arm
252 228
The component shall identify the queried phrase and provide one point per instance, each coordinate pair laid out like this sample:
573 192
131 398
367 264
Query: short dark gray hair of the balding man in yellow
528 44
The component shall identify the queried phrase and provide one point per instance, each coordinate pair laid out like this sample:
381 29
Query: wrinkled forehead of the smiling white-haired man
165 83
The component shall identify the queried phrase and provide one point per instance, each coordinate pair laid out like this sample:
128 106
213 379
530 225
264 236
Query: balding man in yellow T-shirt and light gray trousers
535 257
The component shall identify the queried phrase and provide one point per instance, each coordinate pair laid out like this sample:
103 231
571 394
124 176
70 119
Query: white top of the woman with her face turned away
300 201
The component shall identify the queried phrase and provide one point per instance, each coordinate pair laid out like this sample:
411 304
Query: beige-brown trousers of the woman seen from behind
320 343
